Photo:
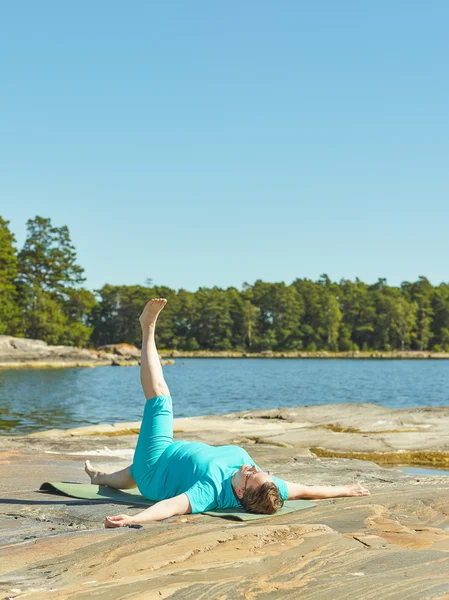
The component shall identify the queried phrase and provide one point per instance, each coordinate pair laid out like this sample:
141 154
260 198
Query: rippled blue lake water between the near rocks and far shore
38 399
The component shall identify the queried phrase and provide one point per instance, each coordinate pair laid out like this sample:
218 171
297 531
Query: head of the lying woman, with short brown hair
256 490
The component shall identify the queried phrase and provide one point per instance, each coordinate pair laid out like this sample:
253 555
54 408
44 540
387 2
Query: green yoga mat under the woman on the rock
100 493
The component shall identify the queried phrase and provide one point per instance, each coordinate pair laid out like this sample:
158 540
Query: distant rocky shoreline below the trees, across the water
26 353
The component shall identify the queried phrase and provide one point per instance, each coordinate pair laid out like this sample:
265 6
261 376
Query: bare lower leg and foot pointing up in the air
151 375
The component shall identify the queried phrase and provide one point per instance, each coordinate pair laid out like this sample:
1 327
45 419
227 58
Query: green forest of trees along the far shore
42 297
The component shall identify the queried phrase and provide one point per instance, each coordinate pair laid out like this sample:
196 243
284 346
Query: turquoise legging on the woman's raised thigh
156 434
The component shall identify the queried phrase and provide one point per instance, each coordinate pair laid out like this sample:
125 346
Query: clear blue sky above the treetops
205 143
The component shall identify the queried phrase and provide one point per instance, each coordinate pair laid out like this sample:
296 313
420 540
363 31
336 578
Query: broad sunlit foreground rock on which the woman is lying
393 544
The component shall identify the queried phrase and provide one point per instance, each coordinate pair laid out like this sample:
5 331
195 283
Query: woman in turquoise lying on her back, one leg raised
192 477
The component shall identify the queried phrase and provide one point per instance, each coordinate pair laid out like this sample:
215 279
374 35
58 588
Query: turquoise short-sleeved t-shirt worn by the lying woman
202 472
